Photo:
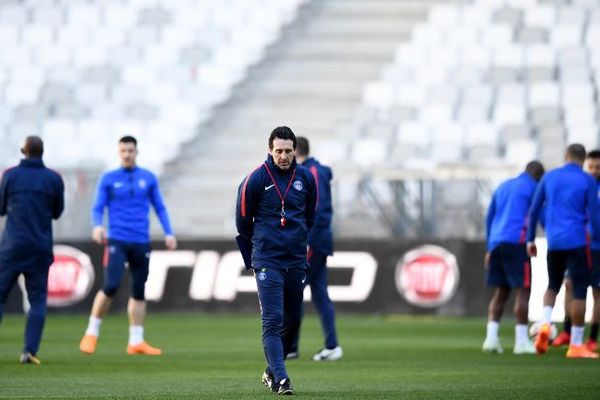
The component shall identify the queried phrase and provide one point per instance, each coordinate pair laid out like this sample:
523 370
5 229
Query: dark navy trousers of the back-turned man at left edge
36 284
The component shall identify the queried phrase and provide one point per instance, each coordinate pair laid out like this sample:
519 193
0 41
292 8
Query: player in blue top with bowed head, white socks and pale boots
507 263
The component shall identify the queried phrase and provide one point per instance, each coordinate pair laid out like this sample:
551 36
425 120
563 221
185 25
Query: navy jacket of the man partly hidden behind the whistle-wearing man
320 237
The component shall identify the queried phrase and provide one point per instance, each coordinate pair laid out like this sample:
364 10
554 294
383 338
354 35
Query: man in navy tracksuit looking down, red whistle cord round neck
275 211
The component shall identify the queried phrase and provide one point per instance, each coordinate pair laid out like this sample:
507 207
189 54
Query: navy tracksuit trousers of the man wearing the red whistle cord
280 295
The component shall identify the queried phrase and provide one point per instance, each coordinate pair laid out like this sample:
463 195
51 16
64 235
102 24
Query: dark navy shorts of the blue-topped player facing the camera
122 254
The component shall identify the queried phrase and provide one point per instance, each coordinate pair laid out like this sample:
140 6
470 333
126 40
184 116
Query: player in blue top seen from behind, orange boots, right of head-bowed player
569 196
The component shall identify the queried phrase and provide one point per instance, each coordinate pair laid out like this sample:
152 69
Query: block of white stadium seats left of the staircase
82 73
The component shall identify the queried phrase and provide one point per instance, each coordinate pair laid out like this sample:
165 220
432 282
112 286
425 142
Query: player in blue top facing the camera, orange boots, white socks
127 193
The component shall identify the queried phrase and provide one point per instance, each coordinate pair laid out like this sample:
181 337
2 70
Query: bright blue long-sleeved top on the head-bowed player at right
508 210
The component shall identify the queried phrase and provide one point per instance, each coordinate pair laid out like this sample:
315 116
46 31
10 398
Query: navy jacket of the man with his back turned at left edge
31 195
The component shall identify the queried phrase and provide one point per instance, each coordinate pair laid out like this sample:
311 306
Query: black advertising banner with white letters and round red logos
365 276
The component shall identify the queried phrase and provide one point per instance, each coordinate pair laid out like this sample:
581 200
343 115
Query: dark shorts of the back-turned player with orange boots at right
577 262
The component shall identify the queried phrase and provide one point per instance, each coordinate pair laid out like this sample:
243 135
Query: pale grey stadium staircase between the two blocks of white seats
311 80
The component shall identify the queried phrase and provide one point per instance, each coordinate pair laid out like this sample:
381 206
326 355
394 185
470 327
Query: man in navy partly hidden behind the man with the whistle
320 245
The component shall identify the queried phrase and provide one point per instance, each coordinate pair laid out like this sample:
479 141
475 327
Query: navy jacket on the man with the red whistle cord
258 216
